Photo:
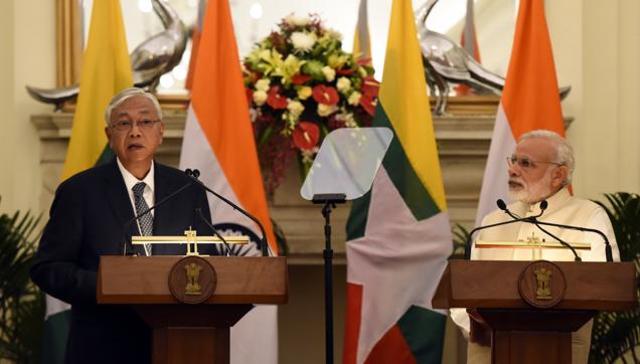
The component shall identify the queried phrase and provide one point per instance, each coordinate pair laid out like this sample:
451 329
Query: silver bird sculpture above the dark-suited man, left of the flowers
151 59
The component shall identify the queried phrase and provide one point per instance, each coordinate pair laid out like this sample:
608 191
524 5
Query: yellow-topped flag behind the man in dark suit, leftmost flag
106 70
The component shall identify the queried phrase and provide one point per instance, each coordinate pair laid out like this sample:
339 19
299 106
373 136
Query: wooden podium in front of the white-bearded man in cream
533 307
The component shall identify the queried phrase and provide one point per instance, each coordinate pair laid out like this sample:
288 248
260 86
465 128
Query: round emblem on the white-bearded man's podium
542 284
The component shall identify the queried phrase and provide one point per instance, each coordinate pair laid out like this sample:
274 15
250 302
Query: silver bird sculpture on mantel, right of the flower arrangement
447 62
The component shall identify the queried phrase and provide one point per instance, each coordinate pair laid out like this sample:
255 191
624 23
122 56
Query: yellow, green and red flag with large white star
399 233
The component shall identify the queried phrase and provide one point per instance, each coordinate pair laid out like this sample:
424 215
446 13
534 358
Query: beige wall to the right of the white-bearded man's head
597 49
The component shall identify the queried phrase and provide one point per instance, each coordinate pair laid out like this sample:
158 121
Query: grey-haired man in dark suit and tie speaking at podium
89 218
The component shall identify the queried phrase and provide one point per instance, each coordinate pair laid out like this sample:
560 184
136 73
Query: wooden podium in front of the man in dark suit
191 333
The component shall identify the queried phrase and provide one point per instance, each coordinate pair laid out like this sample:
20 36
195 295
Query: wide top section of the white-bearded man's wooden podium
494 284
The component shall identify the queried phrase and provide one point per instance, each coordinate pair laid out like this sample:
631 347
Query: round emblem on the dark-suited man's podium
192 280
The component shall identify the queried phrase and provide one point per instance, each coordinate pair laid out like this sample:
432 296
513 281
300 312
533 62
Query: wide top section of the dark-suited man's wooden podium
144 280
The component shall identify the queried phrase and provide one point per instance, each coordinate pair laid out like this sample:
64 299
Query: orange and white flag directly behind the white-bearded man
530 101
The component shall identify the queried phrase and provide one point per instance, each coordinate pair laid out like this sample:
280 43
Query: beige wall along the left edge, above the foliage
28 57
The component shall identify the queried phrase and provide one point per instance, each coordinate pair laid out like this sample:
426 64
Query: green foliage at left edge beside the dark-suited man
22 305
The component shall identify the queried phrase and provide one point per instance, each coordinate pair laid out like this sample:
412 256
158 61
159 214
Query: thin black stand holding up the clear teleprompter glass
329 200
